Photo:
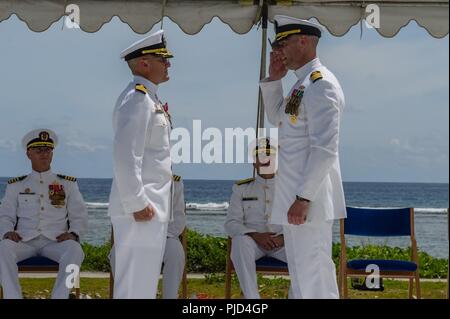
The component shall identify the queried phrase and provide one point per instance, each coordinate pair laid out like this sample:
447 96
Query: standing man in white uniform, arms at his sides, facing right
141 195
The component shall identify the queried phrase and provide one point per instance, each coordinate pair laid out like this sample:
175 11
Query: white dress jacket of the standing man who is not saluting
141 158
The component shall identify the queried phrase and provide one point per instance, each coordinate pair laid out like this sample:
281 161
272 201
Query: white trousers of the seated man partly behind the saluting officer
244 253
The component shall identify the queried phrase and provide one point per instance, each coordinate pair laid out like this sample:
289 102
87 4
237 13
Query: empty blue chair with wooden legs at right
379 223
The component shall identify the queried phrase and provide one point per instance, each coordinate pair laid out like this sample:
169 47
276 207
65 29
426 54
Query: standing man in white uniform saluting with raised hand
308 189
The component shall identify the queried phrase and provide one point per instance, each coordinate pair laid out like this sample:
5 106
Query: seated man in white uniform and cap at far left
42 214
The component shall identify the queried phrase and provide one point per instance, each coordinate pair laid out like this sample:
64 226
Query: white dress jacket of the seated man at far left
27 207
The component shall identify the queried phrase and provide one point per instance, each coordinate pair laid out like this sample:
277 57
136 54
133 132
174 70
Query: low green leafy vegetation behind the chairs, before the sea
207 254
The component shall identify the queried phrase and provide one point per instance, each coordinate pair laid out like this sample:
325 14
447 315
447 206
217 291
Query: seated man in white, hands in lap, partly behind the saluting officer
247 221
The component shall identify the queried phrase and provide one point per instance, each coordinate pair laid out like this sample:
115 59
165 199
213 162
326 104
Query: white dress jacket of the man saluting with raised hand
308 148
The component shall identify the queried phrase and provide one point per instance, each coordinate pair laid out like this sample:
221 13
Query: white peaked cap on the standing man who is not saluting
154 44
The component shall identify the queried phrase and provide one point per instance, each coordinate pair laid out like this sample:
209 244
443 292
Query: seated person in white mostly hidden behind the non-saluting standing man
174 258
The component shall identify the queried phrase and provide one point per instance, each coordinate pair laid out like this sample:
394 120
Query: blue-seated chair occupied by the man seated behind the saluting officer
265 265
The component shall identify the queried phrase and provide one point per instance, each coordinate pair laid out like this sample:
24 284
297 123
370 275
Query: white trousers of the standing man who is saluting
309 254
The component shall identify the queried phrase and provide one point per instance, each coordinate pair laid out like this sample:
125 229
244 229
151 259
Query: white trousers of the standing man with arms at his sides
138 253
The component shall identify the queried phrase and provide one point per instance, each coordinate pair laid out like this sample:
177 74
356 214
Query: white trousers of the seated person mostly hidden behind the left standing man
173 268
